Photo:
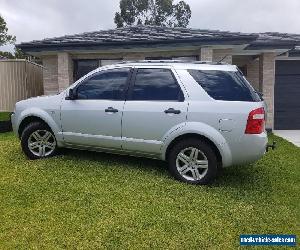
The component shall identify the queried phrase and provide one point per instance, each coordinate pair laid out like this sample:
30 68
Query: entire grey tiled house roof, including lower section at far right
155 34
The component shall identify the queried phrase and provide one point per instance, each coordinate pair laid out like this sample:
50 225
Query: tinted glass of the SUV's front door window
107 85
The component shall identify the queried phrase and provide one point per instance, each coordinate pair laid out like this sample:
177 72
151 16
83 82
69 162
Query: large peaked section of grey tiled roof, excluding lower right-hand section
140 33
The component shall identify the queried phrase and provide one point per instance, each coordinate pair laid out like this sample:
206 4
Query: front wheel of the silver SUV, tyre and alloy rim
38 141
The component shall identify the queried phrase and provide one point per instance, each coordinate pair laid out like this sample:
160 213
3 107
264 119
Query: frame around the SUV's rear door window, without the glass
181 98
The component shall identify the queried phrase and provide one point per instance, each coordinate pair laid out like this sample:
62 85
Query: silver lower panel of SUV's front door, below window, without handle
85 122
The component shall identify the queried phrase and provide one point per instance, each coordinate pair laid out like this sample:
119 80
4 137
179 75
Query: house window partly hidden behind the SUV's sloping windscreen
82 67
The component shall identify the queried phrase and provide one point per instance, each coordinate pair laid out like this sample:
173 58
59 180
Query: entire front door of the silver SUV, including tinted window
94 117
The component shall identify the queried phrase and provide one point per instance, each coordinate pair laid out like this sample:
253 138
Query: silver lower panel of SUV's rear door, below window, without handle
145 124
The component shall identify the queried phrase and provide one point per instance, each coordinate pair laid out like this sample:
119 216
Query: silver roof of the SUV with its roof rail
179 64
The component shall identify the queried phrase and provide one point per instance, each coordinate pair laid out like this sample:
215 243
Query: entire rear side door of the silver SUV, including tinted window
156 104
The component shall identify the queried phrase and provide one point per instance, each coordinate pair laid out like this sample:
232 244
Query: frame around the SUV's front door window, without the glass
126 87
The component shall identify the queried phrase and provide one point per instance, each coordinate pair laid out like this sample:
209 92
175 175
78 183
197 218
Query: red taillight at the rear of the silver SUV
256 121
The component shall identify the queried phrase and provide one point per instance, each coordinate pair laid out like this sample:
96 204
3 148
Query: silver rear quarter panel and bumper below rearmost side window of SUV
230 119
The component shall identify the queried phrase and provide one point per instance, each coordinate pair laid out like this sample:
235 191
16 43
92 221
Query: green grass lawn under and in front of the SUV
92 200
